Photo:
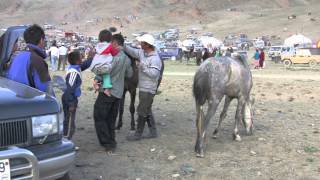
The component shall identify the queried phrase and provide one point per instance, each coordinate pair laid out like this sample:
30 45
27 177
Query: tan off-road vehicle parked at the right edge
310 56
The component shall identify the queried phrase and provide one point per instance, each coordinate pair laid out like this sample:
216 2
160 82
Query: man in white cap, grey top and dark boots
150 68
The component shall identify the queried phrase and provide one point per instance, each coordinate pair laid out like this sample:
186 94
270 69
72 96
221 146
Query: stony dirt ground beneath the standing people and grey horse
285 143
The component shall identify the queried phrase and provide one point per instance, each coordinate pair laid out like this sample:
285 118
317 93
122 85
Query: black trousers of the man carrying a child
105 114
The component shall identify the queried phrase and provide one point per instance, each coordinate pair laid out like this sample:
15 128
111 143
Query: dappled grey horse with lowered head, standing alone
216 78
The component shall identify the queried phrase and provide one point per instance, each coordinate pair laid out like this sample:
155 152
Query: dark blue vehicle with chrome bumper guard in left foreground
31 140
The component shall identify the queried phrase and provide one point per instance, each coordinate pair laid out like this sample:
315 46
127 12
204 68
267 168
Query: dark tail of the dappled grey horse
201 87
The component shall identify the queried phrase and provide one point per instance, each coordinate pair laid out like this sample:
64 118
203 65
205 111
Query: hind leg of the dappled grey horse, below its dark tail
202 125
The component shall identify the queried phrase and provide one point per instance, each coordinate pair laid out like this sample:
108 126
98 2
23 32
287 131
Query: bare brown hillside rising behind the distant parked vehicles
255 17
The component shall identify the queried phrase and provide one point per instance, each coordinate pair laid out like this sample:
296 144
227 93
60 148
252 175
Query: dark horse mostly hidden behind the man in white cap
130 85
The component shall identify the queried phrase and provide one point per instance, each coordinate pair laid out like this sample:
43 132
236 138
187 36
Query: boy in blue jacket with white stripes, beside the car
72 92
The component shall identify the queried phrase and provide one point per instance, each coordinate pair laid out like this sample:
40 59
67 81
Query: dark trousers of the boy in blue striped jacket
69 125
